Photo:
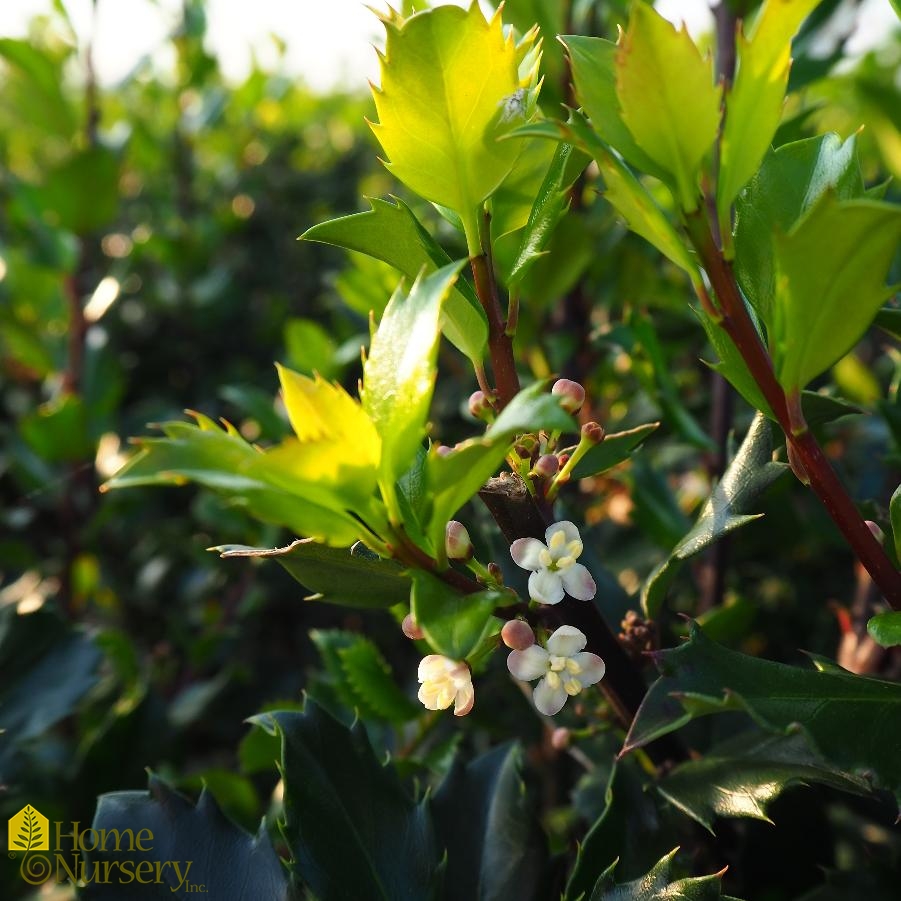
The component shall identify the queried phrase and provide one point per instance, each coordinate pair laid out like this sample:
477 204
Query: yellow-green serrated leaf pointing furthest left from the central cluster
226 463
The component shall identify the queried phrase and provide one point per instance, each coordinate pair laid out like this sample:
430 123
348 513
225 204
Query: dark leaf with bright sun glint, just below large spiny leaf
740 778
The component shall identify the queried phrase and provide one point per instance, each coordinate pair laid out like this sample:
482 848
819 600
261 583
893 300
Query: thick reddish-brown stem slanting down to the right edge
737 324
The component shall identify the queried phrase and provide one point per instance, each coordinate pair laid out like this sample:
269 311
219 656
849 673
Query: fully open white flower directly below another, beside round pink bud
564 668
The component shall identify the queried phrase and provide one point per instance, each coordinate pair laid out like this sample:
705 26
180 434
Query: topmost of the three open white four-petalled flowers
554 567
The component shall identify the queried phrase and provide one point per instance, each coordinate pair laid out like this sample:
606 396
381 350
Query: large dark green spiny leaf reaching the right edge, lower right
849 719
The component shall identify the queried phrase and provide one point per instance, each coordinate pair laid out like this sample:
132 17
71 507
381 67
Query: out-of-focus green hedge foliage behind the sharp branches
149 262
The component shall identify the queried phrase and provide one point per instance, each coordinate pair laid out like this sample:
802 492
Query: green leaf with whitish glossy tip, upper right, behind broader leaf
790 181
